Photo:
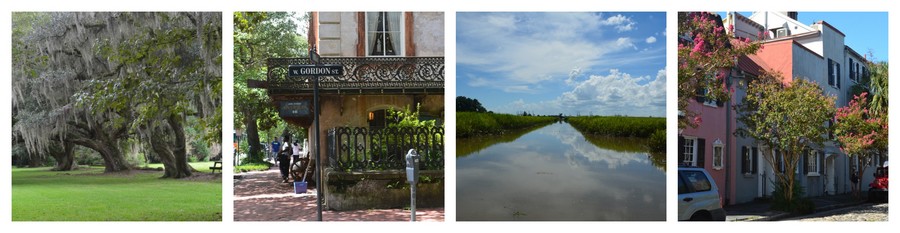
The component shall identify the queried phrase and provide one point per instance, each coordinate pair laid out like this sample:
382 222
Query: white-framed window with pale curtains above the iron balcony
384 33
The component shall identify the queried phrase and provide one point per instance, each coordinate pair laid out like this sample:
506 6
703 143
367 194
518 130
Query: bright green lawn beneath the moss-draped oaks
88 194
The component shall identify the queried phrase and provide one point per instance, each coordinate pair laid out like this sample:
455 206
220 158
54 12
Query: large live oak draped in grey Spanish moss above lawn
109 76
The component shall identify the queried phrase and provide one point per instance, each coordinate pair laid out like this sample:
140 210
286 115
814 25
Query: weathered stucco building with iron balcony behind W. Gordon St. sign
390 61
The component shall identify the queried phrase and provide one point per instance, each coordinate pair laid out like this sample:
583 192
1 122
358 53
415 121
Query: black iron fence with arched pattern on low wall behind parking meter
359 148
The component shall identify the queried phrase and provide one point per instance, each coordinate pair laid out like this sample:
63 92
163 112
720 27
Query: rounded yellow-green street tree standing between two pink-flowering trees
787 118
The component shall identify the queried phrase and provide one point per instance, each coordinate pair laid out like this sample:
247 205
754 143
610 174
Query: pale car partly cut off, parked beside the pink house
698 196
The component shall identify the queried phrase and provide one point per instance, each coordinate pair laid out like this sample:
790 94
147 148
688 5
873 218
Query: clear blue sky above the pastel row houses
865 30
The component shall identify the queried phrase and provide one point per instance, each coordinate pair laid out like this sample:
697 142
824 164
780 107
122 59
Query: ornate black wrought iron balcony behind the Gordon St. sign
362 75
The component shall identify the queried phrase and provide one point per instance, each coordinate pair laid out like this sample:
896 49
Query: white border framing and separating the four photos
450 7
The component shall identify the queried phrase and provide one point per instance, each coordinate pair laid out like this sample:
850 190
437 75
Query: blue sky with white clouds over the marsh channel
572 63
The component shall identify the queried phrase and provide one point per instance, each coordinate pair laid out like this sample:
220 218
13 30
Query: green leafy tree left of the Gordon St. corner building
257 37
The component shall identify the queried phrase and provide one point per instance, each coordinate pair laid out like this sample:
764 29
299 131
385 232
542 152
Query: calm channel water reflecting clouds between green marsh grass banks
555 173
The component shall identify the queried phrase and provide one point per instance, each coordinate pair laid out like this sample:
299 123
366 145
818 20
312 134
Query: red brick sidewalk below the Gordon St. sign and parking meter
260 196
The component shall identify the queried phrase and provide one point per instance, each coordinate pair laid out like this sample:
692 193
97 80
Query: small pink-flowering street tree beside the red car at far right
861 133
